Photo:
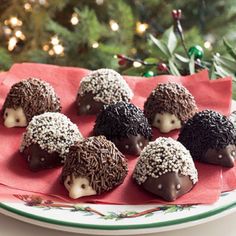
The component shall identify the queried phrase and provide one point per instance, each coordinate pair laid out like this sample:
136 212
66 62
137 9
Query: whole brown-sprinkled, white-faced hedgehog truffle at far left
26 99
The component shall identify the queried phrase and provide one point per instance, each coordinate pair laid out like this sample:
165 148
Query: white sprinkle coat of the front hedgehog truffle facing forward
162 156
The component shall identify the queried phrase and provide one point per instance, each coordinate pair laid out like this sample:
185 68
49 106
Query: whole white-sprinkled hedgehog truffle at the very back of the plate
101 87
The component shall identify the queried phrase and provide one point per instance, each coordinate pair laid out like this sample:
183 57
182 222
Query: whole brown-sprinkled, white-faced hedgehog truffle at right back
169 106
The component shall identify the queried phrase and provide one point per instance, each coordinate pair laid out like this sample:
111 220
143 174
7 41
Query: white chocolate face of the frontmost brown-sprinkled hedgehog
78 187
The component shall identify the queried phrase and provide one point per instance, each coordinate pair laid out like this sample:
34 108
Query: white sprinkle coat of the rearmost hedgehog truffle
106 85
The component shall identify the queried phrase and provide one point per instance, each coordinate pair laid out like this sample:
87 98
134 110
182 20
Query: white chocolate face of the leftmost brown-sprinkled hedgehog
14 118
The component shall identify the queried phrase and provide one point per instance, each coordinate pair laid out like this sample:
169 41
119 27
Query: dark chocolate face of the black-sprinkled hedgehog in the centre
135 144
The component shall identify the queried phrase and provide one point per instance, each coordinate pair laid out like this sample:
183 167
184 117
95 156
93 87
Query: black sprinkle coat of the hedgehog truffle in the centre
120 120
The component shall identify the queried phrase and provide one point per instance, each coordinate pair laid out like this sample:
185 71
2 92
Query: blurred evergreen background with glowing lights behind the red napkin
89 33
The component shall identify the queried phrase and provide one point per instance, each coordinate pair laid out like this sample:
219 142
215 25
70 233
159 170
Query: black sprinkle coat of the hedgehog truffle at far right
207 129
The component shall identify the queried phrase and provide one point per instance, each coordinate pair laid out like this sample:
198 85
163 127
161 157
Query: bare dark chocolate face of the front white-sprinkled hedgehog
170 183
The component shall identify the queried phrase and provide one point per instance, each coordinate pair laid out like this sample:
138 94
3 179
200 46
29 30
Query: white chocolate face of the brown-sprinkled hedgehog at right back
166 122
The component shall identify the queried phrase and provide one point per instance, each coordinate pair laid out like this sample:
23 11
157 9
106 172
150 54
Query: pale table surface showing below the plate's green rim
219 227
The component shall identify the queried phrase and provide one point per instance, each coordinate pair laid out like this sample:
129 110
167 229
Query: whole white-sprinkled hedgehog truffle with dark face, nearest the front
166 169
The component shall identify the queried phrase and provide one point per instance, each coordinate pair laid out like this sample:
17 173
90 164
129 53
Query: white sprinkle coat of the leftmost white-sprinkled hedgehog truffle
53 132
